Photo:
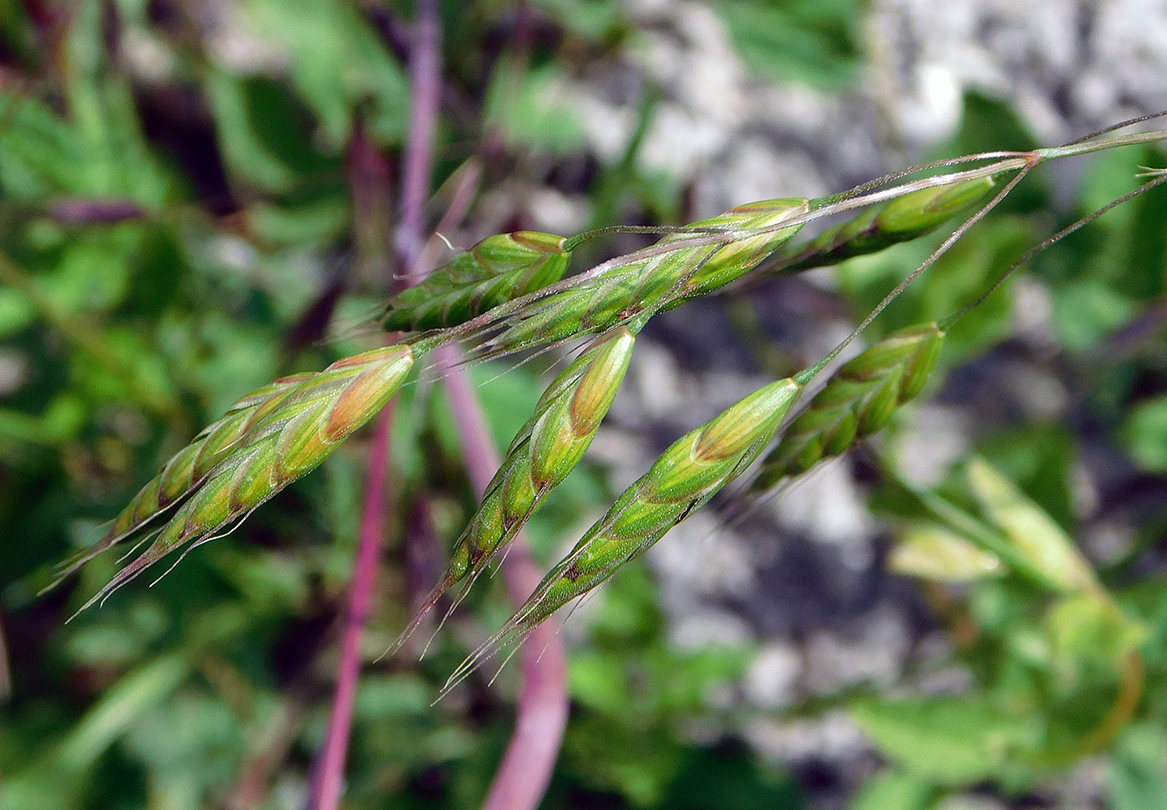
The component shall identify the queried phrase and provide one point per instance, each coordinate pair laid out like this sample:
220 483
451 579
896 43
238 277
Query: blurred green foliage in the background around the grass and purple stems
183 200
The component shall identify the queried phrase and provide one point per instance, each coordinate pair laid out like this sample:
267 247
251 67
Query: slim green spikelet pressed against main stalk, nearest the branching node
881 227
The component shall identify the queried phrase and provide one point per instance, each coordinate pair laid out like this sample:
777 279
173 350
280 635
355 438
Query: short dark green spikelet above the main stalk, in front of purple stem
497 270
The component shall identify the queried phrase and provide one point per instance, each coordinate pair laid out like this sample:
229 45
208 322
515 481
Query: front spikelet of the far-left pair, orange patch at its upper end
295 436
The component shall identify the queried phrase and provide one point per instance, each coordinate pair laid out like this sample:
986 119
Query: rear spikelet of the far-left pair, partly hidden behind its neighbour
187 471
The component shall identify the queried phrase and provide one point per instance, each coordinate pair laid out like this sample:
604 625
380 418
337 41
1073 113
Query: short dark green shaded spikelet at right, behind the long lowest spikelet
858 402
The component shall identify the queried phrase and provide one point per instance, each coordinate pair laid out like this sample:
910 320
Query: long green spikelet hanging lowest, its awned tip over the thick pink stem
686 477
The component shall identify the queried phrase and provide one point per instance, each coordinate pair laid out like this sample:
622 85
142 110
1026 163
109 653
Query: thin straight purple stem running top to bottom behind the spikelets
424 86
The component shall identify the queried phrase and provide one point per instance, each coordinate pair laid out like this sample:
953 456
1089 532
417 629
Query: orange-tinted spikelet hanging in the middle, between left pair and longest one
542 456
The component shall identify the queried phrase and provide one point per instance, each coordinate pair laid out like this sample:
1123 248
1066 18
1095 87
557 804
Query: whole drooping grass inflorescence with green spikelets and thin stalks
507 295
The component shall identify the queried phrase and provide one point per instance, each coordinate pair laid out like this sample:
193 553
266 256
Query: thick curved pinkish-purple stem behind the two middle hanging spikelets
530 760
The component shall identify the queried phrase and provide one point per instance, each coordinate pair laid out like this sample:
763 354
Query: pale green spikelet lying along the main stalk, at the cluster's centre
646 287
